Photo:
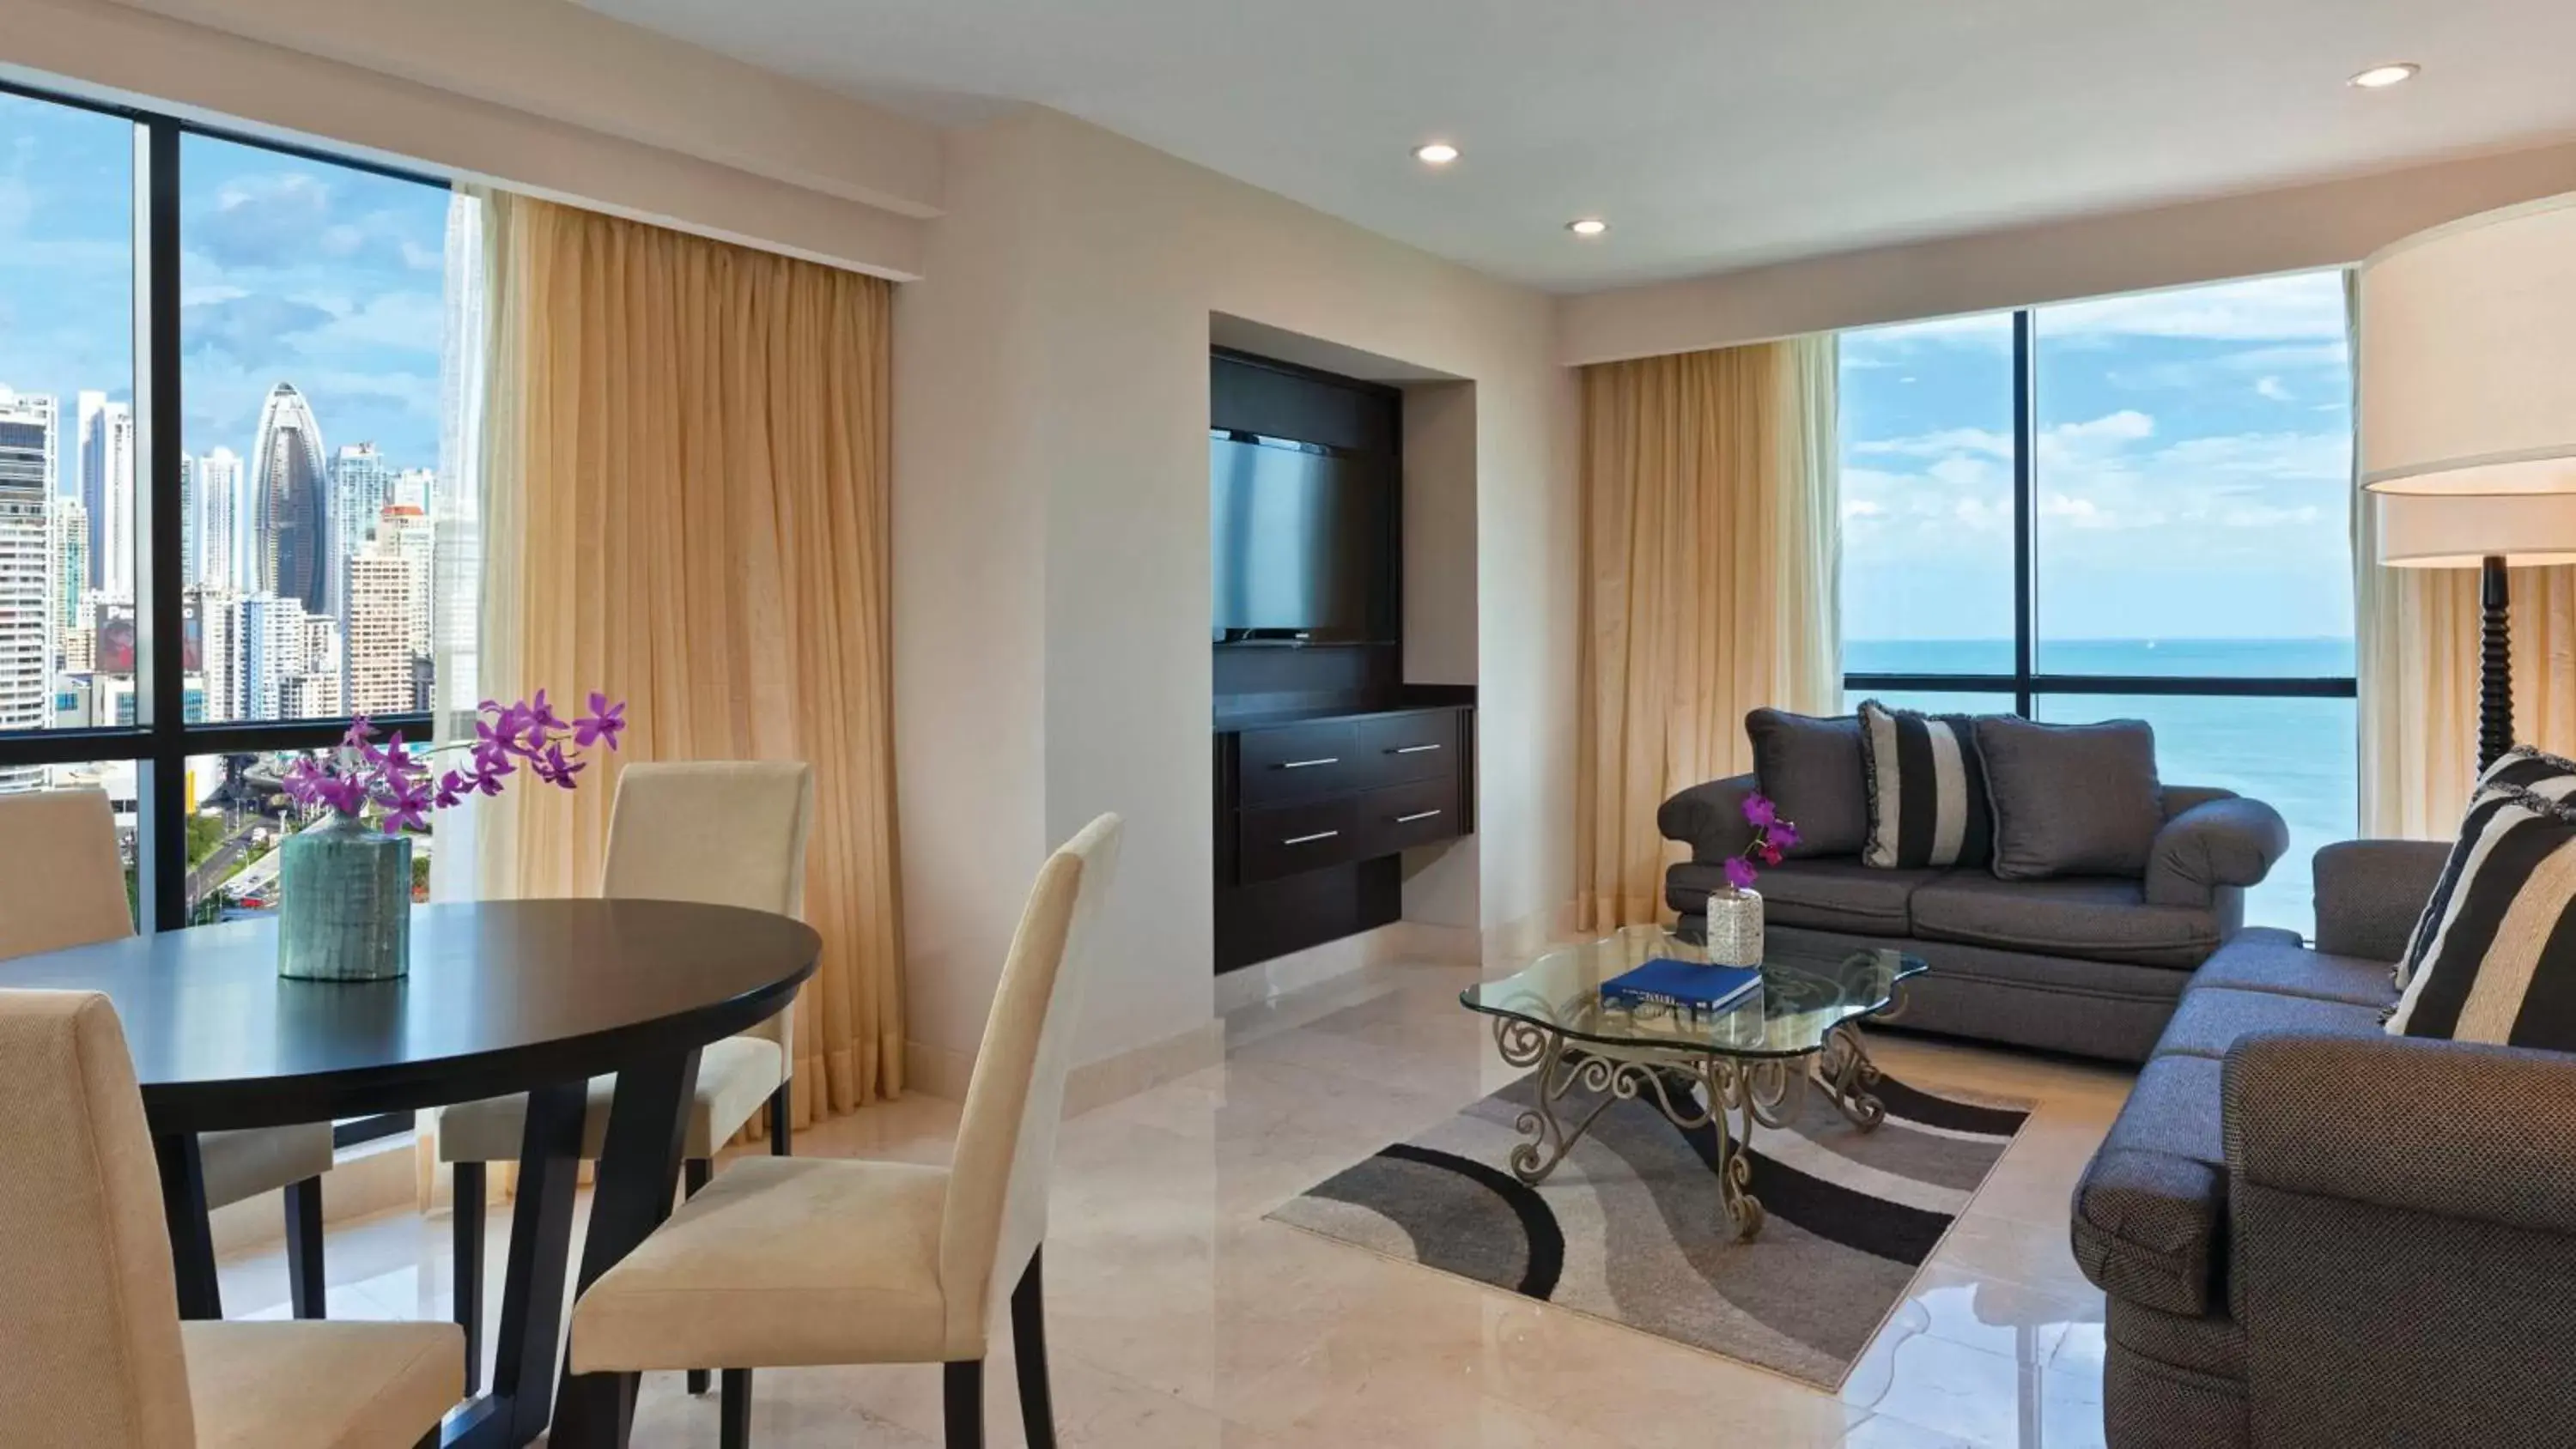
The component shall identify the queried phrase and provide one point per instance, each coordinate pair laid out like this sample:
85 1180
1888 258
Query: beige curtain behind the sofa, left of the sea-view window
1712 565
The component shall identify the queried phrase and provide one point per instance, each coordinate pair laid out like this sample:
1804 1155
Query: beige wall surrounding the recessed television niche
1065 323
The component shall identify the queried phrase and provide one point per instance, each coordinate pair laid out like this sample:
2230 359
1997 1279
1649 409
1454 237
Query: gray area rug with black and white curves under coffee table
1629 1226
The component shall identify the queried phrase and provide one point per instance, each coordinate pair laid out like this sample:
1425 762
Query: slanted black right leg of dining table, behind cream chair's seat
640 1170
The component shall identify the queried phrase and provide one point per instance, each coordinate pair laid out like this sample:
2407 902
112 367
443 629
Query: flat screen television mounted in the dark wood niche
1302 542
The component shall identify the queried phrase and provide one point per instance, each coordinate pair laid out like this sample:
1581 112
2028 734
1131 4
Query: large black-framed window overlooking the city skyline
220 477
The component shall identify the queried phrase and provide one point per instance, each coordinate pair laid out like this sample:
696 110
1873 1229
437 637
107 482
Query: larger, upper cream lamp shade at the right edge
2469 356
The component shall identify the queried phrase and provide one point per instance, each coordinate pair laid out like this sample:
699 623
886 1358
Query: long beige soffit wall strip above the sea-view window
2098 256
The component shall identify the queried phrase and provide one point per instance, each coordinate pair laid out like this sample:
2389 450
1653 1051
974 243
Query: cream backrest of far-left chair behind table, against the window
63 884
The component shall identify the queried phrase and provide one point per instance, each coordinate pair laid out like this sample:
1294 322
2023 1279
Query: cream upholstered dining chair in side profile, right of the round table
867 1262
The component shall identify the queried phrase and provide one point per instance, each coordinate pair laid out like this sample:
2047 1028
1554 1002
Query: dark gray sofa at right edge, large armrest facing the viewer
2315 1234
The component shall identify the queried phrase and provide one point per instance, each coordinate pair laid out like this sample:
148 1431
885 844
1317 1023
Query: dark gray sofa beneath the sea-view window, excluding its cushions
2085 964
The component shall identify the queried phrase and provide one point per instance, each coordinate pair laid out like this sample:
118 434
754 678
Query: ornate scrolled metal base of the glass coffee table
1691 1090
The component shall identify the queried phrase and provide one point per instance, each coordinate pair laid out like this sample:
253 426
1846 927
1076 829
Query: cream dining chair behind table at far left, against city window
63 884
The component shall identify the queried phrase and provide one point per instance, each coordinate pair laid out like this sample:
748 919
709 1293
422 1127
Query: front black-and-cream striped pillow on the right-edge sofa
2503 959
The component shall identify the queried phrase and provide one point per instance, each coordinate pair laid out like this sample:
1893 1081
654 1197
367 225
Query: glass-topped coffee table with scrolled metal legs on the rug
1730 1072
